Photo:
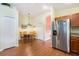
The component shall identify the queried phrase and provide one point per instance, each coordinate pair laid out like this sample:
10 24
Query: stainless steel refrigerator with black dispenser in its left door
61 35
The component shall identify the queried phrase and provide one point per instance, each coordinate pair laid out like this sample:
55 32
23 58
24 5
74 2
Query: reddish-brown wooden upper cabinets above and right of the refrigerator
74 18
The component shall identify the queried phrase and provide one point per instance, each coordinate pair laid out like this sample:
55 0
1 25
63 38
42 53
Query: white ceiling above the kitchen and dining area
37 8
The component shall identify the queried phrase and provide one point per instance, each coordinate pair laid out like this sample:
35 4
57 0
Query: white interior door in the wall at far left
9 32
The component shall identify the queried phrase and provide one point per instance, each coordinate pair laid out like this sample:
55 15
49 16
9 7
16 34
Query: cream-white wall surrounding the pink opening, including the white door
40 24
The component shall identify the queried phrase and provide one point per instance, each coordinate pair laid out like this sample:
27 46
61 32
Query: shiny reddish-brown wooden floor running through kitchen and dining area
34 48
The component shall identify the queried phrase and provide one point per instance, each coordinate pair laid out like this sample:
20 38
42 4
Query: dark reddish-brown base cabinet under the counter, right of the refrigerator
75 44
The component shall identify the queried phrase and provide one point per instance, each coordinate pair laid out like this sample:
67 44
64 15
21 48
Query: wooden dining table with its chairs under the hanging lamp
25 36
